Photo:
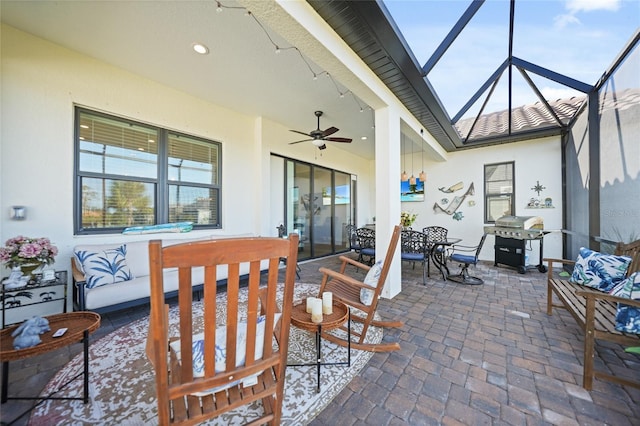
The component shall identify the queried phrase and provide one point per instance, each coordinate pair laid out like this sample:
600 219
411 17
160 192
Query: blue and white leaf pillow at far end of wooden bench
599 271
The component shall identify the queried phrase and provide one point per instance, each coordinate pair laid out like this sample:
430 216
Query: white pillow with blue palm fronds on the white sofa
105 266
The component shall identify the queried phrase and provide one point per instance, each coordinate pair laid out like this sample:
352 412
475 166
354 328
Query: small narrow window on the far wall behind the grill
499 199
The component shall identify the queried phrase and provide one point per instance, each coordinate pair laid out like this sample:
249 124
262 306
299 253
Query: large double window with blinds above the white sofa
134 174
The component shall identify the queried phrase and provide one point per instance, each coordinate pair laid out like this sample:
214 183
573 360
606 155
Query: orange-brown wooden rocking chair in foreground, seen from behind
233 362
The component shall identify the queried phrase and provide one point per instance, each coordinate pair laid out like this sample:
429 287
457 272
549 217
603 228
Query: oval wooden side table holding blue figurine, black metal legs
78 324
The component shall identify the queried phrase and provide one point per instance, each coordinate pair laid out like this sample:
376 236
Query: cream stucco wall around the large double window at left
41 82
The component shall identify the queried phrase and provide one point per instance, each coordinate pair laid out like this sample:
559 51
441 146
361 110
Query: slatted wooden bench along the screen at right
595 313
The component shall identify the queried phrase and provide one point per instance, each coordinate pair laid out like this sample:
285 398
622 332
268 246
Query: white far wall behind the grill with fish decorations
537 160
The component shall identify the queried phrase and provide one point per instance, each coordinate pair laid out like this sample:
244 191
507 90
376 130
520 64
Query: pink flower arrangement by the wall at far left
21 250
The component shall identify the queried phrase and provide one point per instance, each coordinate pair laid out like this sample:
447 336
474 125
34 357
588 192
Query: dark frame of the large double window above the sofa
161 208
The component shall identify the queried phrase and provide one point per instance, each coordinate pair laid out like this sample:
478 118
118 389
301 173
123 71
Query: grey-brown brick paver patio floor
469 355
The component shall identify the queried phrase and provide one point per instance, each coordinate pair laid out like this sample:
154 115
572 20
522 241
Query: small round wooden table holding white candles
301 319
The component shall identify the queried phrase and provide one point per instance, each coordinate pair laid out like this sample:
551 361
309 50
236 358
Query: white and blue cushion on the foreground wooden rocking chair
221 351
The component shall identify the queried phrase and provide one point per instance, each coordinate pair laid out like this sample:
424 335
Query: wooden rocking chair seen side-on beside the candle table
348 290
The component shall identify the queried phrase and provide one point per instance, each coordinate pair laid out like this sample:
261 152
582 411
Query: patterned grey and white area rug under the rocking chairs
122 389
